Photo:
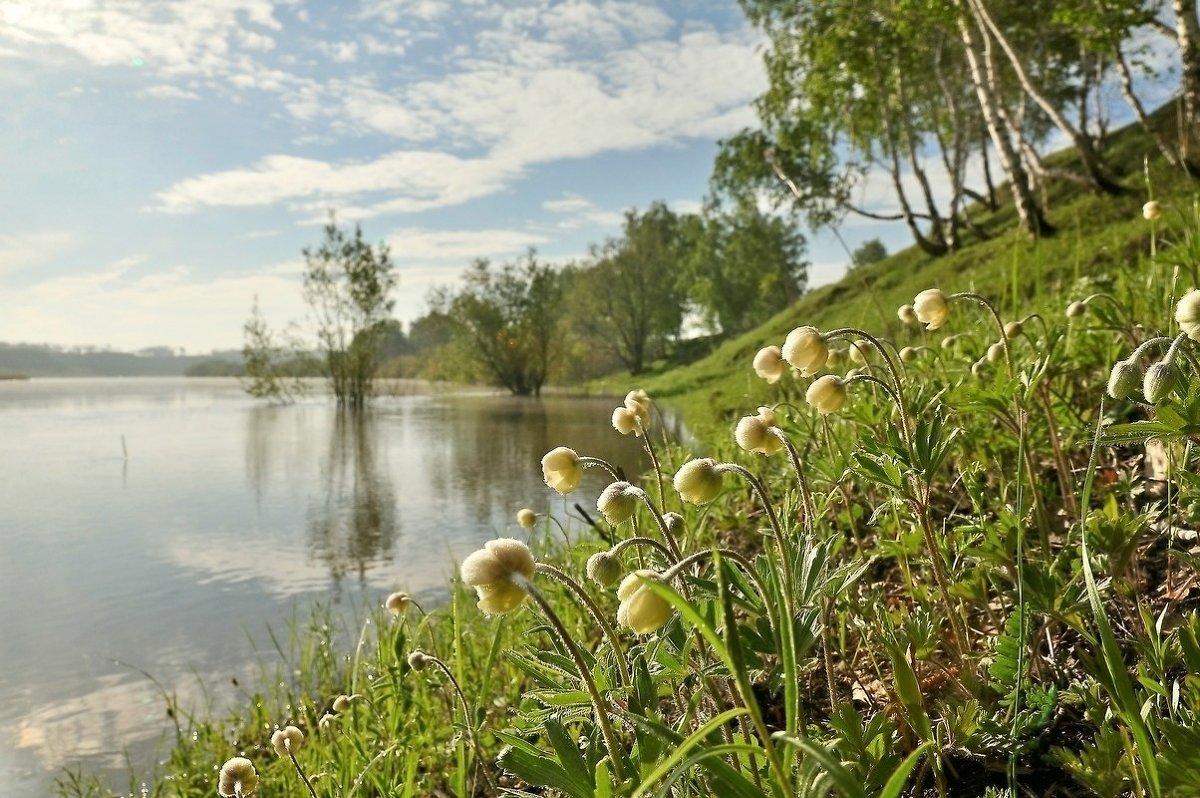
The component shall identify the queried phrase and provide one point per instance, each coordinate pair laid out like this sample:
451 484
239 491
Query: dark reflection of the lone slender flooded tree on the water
352 525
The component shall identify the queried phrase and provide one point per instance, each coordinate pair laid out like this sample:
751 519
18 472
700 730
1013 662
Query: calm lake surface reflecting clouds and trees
218 519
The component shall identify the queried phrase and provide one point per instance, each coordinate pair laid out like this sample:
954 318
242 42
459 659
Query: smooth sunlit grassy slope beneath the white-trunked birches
1096 236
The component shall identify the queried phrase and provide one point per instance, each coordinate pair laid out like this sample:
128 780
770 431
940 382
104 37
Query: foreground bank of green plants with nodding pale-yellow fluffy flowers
953 560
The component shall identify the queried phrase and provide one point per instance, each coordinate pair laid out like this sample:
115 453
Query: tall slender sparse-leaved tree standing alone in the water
349 286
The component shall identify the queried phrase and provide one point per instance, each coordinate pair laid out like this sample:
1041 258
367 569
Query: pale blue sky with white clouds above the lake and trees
163 163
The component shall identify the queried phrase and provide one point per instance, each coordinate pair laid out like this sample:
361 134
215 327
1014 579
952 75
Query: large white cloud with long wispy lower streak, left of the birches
655 93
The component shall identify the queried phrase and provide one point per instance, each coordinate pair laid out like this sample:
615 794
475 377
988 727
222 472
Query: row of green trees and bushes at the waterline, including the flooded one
524 323
